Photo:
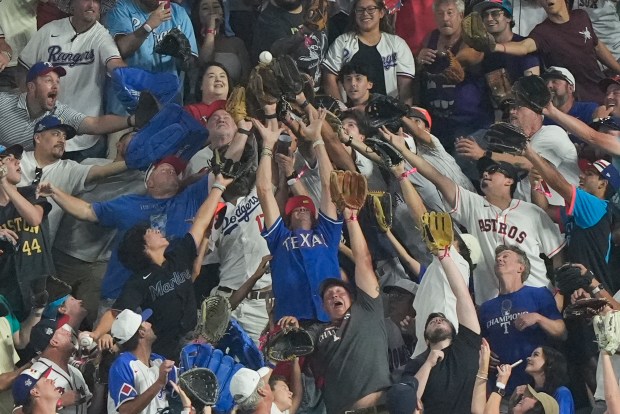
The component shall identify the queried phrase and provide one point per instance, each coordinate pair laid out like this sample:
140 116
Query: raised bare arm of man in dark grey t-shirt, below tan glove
365 277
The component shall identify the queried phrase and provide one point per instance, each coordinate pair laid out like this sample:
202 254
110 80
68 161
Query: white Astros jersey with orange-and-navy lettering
522 224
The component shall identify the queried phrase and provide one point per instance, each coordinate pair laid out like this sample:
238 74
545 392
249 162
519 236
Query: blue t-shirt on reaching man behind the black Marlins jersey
172 216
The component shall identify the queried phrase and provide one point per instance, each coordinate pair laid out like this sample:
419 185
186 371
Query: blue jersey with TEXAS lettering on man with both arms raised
302 259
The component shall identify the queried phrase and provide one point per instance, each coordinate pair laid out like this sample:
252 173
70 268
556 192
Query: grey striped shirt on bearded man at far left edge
16 125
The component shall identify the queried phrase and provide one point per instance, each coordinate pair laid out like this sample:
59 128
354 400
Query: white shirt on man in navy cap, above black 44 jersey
68 175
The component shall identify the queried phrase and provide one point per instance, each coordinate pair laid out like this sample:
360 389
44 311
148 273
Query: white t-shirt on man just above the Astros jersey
552 143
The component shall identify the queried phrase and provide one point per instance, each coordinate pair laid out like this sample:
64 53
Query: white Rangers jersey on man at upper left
84 57
